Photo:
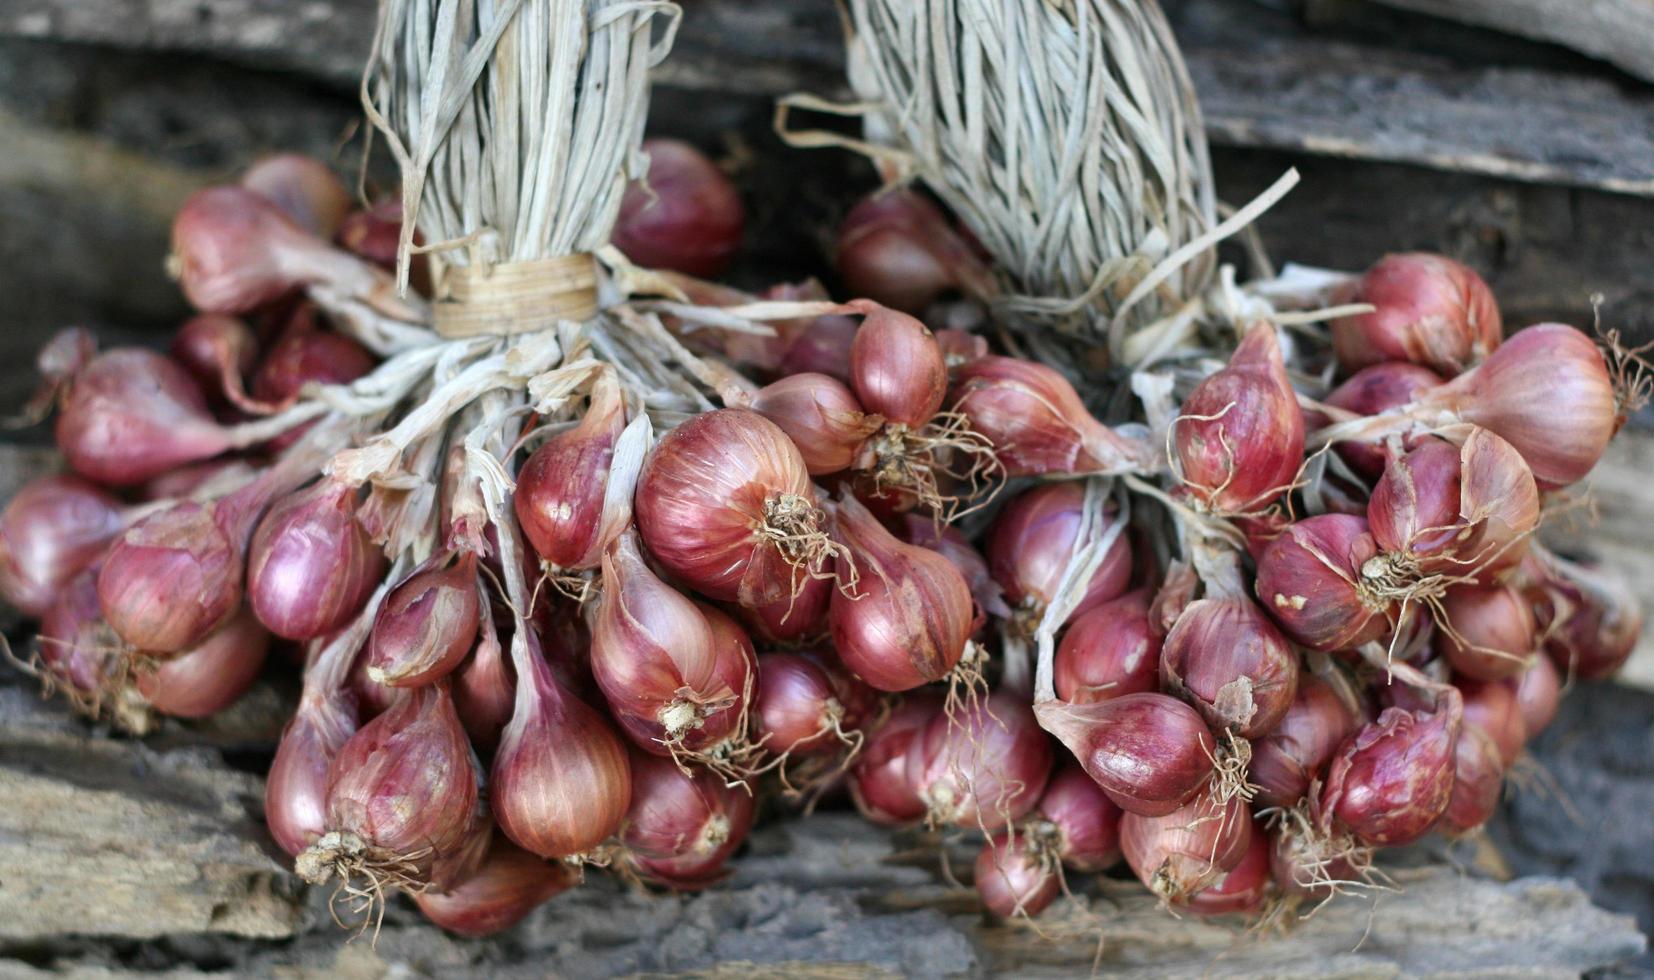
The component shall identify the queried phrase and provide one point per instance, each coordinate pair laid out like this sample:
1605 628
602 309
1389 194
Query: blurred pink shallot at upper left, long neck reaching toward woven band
236 252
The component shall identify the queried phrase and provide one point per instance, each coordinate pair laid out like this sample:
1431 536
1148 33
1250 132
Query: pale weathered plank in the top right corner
1620 32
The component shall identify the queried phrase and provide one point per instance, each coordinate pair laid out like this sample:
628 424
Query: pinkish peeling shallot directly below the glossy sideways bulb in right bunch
1188 850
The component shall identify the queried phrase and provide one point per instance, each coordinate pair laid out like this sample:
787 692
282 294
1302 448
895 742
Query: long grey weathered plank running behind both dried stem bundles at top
1288 92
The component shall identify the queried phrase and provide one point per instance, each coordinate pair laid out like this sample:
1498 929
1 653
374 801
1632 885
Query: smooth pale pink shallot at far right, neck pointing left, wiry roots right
1547 392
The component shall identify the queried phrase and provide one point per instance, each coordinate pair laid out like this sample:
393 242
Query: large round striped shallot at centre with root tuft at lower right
725 505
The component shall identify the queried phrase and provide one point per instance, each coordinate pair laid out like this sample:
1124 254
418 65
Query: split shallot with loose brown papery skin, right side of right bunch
1456 510
